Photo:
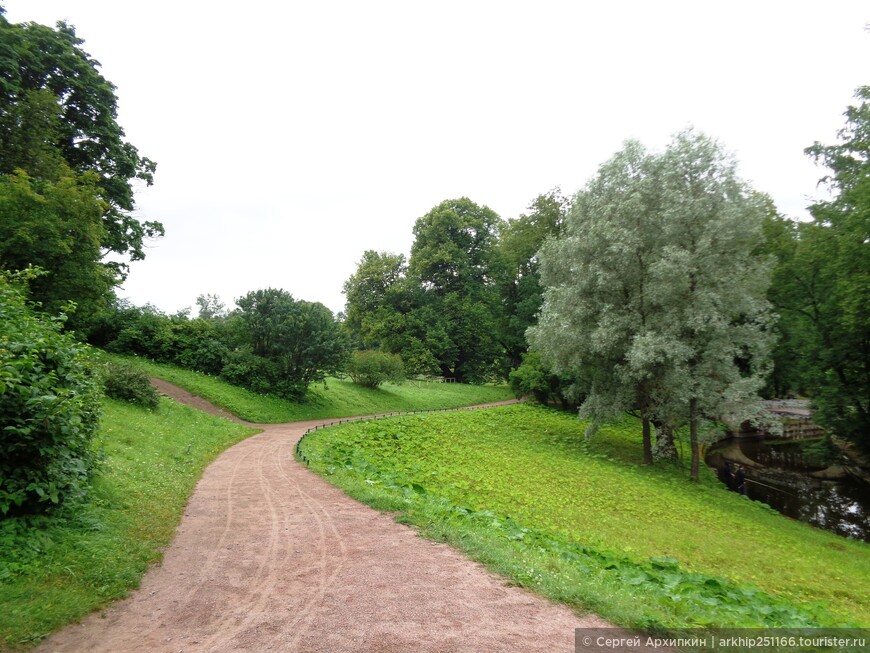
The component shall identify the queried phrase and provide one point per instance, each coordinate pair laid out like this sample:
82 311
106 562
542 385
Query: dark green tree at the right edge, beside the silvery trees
825 284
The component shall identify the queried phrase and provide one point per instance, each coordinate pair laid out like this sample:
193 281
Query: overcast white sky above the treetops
292 136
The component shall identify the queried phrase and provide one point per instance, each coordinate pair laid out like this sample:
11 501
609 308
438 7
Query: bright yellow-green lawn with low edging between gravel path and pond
583 522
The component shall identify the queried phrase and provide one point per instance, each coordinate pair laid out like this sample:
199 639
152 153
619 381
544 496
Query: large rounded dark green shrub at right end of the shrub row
288 344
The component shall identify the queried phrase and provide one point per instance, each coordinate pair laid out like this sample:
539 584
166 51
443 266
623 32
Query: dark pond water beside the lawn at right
841 506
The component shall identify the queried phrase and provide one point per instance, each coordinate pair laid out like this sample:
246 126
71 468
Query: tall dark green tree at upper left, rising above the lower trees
55 106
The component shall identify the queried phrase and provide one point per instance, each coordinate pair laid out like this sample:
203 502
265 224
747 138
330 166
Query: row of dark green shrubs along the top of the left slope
273 344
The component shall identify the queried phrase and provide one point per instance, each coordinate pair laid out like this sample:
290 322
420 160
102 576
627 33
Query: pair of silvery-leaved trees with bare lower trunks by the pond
653 299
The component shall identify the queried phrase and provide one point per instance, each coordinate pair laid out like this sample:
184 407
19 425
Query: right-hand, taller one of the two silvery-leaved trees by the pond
712 290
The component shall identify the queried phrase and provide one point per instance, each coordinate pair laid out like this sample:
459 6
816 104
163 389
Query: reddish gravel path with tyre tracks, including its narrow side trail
270 557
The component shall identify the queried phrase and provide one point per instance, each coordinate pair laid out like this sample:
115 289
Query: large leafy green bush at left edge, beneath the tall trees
48 409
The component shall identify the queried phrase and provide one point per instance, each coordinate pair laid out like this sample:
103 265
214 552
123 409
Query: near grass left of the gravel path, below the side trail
54 570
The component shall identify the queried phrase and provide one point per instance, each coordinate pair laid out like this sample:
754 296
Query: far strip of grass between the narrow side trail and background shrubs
340 398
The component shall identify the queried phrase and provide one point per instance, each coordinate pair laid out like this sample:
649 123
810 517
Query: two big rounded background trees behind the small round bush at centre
440 311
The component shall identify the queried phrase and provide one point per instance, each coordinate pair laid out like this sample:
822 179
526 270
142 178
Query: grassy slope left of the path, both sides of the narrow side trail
55 570
